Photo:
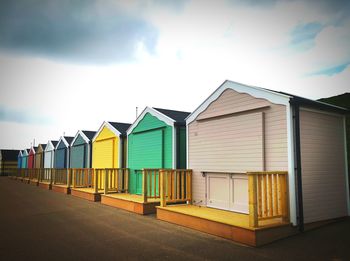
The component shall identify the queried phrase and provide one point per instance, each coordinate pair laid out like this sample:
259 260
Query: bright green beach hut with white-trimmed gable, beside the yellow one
157 139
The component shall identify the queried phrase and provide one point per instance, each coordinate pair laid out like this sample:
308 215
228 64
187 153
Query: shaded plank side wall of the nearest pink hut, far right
323 166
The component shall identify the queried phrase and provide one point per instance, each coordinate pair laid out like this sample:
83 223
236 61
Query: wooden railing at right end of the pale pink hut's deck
268 196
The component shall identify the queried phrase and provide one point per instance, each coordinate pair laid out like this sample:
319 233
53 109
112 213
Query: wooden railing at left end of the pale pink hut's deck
175 186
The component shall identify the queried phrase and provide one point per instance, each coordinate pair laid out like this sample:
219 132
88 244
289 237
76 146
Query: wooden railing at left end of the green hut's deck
116 180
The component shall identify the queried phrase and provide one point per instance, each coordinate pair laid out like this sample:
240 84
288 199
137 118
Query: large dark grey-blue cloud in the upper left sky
89 31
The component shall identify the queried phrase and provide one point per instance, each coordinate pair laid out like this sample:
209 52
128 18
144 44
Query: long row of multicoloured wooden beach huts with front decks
249 164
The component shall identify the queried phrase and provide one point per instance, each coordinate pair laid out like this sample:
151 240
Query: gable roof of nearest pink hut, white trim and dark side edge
276 97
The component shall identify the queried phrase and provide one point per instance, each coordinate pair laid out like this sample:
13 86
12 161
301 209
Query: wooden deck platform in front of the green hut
131 202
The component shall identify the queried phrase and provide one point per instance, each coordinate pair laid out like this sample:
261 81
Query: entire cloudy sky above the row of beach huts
70 65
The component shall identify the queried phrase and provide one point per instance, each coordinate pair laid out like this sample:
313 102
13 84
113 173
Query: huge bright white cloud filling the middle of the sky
198 48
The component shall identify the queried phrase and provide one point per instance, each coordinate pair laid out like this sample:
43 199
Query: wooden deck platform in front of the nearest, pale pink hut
226 224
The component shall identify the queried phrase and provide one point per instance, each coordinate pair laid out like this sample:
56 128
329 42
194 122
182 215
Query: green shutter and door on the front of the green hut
146 152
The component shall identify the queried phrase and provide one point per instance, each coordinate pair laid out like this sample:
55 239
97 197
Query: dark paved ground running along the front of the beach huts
38 224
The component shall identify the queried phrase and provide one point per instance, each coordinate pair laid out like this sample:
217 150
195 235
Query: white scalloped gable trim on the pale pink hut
277 98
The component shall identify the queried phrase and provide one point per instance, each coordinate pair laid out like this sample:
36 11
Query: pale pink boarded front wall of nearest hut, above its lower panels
236 133
